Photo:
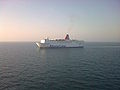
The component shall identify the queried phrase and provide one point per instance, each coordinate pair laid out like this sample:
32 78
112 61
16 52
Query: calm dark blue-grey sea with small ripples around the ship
23 66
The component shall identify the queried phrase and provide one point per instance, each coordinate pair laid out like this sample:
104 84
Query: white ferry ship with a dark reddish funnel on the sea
60 43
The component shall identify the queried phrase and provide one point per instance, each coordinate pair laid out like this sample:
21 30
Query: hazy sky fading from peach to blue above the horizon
32 20
